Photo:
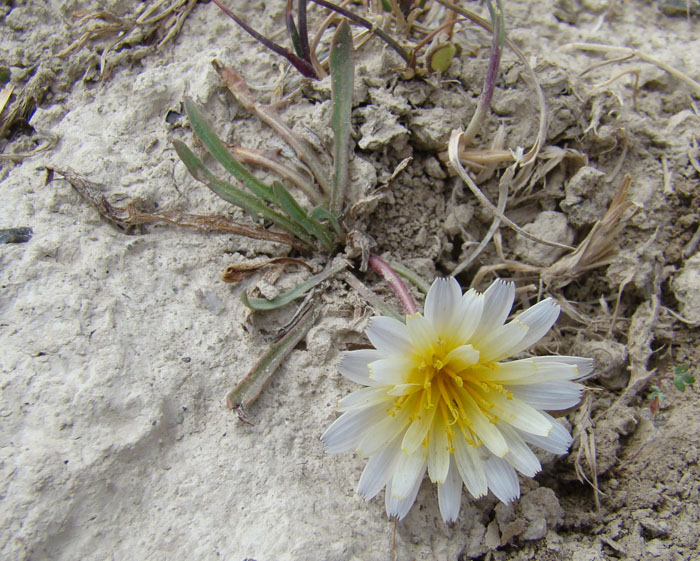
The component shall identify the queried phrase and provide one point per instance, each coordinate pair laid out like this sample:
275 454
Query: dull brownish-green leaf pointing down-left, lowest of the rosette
248 389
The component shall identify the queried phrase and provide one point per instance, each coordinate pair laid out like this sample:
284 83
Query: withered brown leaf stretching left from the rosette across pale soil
128 216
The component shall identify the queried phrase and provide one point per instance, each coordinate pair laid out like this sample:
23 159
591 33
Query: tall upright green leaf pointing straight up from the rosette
342 74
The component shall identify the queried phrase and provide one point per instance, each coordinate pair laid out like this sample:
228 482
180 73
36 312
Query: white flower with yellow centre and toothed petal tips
438 397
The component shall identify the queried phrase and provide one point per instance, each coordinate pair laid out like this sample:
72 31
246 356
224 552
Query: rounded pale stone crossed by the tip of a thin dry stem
551 226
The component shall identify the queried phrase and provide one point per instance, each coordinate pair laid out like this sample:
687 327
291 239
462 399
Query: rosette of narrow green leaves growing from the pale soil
319 230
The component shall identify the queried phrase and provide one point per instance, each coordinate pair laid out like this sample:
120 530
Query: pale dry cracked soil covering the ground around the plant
117 349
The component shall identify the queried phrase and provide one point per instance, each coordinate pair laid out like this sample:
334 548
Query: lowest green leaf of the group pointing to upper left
235 196
